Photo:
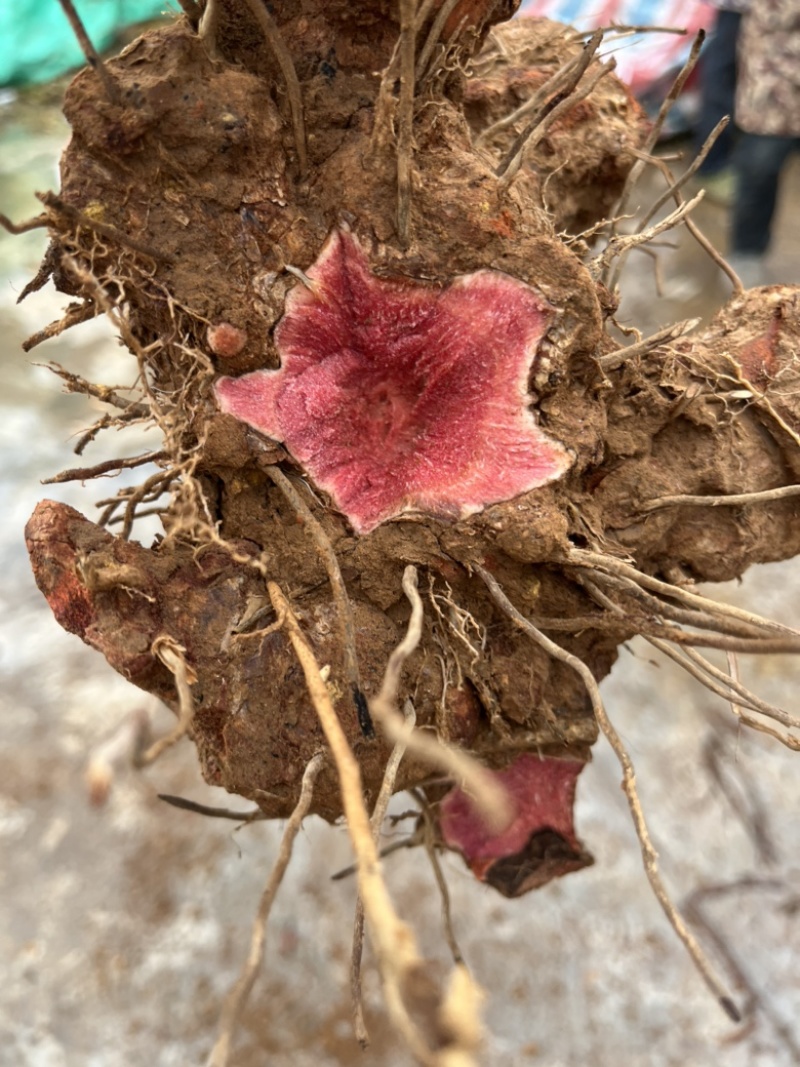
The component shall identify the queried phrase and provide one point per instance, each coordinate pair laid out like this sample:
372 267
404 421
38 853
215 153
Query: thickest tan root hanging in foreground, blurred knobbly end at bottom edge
399 963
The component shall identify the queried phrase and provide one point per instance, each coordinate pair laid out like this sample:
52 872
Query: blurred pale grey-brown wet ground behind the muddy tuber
123 928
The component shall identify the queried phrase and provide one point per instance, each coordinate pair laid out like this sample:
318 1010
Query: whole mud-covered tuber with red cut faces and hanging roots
415 493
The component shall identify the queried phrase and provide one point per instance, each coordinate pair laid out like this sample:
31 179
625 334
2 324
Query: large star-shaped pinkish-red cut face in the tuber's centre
397 396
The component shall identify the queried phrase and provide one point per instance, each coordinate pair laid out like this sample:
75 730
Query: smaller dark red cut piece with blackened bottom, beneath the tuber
539 846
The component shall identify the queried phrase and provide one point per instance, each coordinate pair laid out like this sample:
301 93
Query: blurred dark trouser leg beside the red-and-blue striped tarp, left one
718 91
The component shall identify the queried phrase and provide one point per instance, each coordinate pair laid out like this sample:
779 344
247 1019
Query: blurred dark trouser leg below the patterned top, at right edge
759 161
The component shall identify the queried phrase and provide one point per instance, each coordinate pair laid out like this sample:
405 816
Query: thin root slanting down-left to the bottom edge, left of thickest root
238 996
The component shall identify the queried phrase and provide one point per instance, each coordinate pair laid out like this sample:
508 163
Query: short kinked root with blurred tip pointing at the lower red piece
483 788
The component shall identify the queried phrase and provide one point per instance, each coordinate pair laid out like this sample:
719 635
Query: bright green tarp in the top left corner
37 42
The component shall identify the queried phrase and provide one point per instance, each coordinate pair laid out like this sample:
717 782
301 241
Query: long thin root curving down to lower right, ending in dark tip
629 784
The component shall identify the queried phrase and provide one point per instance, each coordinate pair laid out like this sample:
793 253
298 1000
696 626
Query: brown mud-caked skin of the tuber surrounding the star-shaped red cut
196 206
